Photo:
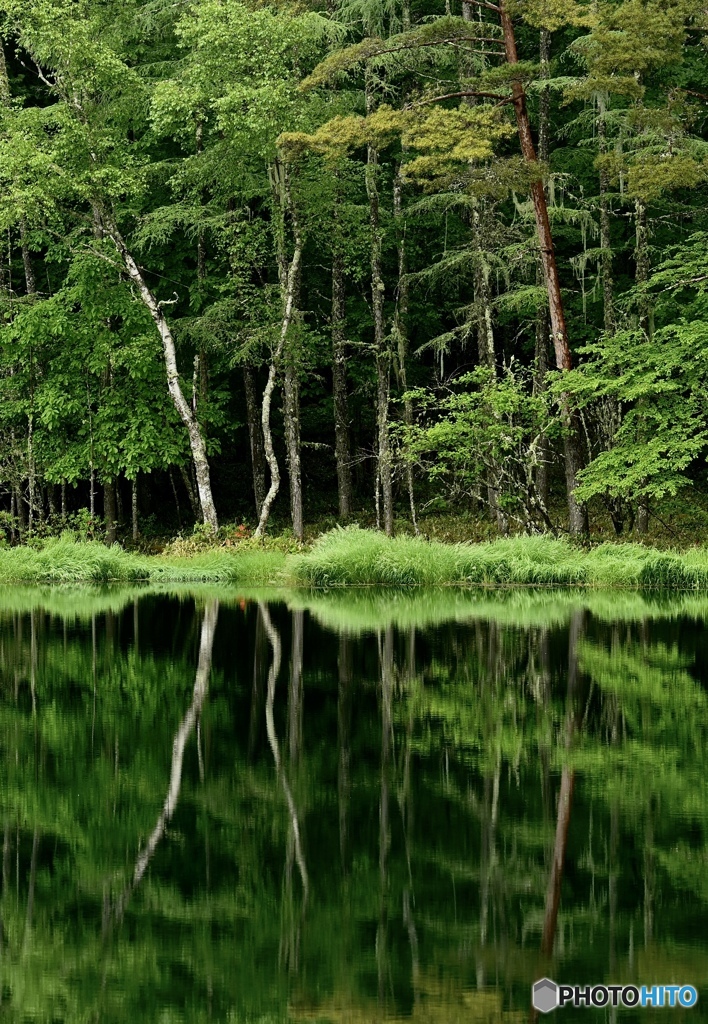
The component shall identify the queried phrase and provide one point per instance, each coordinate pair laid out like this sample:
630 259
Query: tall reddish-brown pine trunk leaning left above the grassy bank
577 511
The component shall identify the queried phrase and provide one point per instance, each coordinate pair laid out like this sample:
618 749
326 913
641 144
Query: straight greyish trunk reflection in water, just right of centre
387 663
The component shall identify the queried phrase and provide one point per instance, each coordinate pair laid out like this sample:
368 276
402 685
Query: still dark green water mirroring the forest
349 808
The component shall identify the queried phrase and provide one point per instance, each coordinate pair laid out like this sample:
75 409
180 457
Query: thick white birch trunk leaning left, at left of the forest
199 454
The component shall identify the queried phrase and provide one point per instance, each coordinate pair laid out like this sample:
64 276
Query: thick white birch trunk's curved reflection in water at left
184 733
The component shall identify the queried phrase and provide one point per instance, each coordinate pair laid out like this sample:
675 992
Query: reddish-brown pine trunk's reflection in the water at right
551 918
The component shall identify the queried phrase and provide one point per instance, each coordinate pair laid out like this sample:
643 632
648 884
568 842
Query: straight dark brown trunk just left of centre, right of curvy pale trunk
343 442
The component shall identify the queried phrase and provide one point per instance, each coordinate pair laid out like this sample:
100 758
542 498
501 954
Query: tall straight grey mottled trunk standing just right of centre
383 356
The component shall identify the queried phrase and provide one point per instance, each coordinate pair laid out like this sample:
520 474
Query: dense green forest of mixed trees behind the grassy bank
331 262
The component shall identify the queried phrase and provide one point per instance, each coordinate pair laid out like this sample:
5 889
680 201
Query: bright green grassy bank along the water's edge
357 558
